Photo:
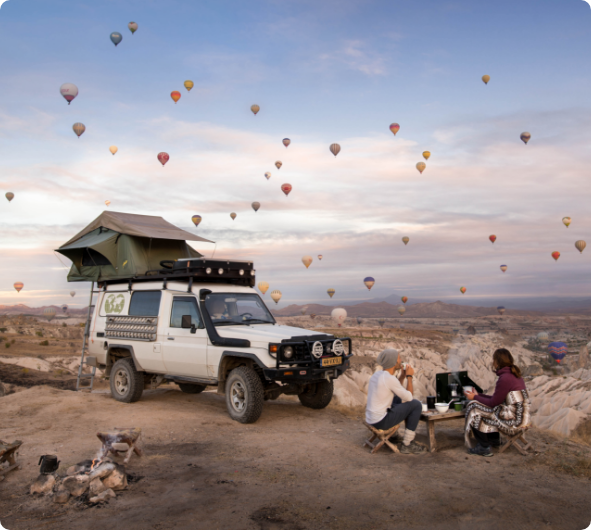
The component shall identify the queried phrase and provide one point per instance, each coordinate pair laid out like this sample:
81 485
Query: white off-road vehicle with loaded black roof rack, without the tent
199 322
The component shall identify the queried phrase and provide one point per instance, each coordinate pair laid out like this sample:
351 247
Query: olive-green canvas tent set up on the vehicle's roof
121 246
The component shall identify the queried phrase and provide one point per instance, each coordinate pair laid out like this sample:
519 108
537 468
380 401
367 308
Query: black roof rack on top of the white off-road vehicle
197 270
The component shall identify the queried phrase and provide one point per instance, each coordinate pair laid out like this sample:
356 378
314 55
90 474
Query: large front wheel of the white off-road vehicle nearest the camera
244 395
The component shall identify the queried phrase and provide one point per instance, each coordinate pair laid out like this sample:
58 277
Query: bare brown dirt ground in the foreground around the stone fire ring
295 469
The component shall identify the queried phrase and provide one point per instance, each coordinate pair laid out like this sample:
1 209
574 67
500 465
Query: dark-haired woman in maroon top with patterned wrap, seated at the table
506 411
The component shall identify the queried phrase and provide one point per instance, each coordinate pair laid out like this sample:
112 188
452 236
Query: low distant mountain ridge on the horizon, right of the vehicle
420 310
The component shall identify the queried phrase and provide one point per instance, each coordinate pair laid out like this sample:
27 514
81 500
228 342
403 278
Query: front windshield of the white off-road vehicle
237 309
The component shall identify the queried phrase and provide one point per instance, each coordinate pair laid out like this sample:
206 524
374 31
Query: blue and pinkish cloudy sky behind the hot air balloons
321 72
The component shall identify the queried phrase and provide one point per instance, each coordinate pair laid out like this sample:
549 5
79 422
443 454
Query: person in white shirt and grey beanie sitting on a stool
389 403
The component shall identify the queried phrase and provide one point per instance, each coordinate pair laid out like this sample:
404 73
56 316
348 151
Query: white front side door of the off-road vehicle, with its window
185 352
